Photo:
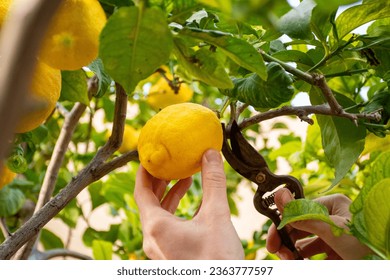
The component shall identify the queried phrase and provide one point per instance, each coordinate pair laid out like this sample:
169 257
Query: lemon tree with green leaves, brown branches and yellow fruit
177 69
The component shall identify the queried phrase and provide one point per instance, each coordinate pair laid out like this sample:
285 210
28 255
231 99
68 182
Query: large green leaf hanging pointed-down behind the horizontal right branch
342 141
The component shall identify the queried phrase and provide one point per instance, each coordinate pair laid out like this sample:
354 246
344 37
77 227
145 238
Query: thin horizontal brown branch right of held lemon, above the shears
303 113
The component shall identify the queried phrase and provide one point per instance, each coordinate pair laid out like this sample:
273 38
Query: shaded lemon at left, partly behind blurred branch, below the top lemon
45 91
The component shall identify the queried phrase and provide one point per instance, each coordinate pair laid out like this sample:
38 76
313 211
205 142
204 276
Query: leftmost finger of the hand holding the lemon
144 196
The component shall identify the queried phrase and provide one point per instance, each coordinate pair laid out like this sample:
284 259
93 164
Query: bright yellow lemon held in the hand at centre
172 142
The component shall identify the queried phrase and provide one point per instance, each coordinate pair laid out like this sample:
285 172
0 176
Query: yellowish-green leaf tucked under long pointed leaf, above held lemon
202 64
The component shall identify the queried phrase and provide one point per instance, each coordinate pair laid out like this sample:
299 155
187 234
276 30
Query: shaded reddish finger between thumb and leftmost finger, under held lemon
175 194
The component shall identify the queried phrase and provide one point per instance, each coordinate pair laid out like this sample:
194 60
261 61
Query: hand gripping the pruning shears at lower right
324 241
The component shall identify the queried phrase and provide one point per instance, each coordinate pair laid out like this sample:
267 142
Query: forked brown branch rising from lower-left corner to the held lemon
95 170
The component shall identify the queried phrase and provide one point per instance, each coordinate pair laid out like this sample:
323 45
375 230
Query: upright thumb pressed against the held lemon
214 184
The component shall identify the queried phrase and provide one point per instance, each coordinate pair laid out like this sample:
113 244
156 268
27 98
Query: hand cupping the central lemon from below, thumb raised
208 235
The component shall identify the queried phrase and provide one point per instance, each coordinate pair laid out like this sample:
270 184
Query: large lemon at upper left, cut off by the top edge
72 40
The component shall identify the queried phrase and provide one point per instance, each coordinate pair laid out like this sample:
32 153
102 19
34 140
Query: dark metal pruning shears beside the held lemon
246 161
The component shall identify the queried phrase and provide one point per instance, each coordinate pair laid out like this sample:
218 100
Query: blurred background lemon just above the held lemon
162 95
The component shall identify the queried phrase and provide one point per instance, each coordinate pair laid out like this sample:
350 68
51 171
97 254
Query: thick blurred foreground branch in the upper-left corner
20 40
